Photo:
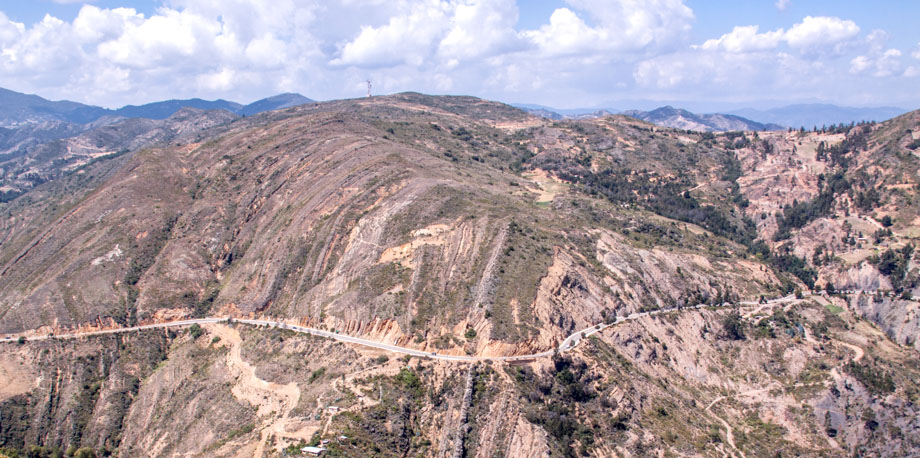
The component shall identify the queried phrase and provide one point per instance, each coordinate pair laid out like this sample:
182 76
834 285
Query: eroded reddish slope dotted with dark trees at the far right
845 200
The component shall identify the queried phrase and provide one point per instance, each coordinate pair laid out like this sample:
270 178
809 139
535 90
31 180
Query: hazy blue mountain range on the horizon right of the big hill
795 116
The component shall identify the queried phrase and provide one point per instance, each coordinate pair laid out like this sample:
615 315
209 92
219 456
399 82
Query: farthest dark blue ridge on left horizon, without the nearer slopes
17 109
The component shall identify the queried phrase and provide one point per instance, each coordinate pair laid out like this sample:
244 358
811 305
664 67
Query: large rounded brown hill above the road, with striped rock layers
395 209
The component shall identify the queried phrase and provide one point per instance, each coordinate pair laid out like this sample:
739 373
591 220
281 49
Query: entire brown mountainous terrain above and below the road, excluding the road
458 226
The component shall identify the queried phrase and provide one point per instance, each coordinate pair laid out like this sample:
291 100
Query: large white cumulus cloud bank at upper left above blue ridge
187 48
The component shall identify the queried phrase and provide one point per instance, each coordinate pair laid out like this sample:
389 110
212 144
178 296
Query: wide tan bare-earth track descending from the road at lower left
274 402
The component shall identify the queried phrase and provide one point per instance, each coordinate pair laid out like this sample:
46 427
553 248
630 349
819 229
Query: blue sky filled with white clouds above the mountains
705 55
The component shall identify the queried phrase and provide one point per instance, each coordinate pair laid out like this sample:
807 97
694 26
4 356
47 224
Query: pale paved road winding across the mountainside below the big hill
567 344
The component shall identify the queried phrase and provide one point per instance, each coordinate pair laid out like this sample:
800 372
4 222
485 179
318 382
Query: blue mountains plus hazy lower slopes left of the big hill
42 139
